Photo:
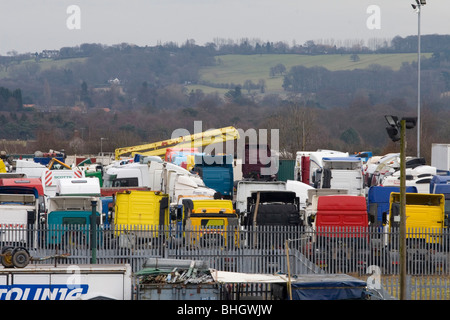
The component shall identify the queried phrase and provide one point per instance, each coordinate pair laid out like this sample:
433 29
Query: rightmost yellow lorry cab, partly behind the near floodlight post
425 215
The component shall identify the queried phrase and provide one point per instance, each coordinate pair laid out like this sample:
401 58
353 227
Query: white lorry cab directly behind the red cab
340 173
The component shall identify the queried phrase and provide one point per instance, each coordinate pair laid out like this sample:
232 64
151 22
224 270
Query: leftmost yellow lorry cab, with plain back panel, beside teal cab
137 212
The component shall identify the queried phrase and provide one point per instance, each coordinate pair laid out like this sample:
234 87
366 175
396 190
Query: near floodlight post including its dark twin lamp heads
396 132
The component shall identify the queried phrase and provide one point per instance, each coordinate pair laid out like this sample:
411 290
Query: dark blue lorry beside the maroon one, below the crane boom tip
216 172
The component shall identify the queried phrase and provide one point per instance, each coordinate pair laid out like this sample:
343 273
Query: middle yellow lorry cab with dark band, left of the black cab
208 220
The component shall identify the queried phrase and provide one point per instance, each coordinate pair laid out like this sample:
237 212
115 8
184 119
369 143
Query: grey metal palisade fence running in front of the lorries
371 253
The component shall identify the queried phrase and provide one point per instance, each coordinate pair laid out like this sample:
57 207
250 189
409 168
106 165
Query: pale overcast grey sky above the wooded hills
36 25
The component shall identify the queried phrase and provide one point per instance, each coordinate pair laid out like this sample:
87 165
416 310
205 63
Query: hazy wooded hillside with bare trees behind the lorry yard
151 99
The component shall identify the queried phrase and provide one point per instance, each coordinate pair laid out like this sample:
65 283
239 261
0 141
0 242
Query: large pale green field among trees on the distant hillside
239 68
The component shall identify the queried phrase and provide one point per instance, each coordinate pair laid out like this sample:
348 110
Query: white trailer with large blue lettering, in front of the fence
65 282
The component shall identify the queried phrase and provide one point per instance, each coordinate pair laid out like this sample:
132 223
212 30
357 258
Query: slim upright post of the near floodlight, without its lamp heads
402 240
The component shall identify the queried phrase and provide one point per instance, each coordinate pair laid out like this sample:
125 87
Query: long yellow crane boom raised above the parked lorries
189 141
